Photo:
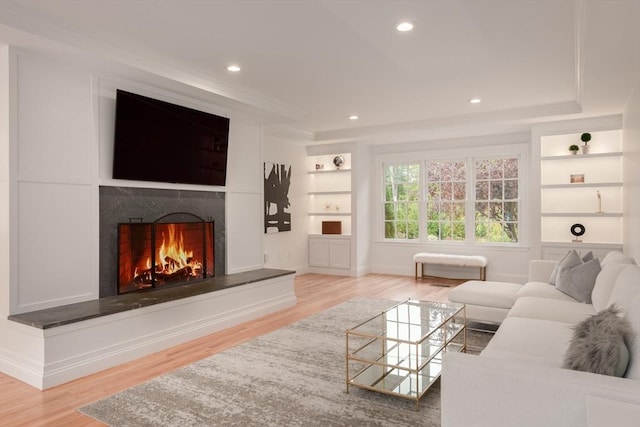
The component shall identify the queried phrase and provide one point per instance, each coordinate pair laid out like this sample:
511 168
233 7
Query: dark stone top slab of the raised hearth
71 313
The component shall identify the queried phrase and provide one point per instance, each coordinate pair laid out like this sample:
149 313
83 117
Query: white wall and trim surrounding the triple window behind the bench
505 263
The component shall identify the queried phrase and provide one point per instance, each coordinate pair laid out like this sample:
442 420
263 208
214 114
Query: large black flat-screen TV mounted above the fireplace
163 142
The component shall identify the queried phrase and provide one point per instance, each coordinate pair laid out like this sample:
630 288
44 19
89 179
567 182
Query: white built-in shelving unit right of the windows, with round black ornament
581 191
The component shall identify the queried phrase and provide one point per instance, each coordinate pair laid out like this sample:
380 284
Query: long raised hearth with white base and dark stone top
50 347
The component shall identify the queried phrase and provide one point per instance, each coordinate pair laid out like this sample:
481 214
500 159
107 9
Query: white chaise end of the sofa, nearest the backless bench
487 302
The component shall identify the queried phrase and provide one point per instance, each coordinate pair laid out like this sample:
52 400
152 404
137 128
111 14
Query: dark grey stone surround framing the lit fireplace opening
119 204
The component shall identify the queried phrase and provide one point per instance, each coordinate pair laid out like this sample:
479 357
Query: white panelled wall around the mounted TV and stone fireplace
60 142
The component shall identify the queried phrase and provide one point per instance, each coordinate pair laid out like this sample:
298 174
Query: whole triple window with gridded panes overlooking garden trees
472 200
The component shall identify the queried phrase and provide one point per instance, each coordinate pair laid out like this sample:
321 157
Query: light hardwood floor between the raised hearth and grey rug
23 405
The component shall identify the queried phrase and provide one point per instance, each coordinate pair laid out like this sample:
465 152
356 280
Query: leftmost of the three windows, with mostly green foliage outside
401 201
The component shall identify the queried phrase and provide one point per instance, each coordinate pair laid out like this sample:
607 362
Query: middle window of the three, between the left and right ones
446 199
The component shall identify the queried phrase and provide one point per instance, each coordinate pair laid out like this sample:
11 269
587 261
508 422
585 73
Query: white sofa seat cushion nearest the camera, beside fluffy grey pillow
534 338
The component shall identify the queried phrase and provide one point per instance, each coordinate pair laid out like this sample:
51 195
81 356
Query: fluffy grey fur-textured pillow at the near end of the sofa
598 344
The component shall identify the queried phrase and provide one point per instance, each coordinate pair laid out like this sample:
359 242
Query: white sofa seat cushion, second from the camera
551 309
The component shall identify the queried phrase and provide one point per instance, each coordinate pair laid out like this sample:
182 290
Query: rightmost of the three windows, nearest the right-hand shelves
496 204
